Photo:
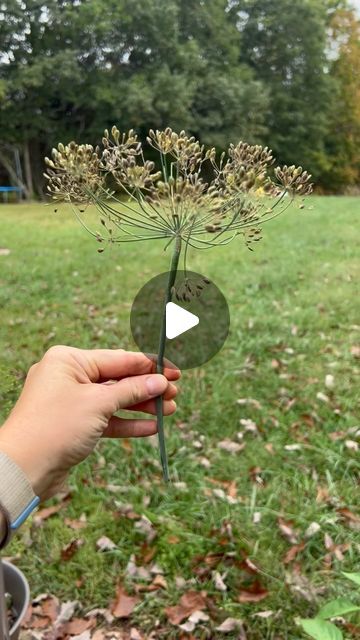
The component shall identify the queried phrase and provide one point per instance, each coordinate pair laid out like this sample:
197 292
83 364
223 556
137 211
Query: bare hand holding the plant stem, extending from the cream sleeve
68 403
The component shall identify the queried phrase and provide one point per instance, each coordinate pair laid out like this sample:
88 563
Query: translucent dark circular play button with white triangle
197 318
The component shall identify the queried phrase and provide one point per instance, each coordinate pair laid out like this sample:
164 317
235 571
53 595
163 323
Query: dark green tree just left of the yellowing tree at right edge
285 44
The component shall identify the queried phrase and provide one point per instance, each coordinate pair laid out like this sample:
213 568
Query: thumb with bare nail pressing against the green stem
131 391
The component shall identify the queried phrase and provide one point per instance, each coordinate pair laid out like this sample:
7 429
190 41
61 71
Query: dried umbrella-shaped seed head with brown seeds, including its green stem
175 203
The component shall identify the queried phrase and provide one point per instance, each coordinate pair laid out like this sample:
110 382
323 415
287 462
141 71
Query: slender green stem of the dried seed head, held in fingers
160 356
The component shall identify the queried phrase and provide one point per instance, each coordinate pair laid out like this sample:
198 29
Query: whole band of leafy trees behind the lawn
282 73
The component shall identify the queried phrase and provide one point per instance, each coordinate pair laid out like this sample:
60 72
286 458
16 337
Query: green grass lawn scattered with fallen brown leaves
294 305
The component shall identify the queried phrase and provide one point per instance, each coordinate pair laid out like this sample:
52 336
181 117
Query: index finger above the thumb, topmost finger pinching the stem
105 364
